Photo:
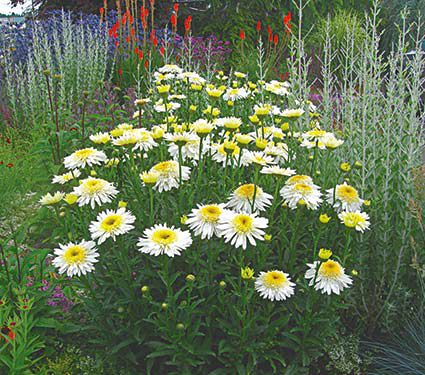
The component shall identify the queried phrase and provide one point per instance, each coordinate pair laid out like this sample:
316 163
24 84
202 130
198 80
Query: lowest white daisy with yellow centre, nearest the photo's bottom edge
274 285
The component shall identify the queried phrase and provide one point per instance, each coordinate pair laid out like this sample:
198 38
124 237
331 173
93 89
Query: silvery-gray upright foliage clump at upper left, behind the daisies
78 55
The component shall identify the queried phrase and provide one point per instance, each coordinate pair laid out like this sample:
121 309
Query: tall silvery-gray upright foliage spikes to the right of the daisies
376 104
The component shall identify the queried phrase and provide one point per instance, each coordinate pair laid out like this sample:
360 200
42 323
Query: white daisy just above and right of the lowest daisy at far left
111 223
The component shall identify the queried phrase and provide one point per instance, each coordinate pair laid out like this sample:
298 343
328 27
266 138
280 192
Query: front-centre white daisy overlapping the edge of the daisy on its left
238 228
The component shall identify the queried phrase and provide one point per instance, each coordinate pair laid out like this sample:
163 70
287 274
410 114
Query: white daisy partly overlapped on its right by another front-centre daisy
204 220
